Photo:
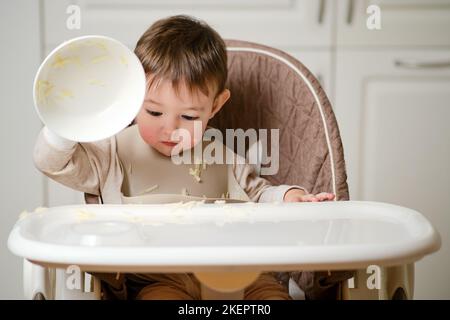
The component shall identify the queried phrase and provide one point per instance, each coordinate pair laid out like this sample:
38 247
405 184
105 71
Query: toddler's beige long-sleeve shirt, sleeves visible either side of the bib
96 168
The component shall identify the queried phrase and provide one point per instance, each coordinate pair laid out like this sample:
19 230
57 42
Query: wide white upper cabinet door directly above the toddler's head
280 23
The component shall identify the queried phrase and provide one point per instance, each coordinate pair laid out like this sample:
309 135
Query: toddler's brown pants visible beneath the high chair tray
187 287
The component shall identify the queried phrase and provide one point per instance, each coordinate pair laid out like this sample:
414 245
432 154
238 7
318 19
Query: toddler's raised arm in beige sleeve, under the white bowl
80 166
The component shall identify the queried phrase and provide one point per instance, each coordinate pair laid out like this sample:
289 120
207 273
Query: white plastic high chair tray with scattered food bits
197 236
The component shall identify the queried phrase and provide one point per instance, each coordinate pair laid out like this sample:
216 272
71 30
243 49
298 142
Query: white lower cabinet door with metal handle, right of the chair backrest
393 110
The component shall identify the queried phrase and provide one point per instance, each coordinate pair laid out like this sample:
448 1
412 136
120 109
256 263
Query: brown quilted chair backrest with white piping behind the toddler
270 89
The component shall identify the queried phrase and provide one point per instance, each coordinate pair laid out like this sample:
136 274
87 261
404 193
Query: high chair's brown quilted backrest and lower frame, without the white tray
272 90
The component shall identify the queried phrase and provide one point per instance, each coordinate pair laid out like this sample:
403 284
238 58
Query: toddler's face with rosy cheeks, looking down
165 111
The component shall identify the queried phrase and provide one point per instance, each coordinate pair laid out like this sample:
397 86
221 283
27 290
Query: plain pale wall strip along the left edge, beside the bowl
21 185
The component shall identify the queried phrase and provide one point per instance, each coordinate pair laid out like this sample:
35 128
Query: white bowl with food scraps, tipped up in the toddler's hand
89 88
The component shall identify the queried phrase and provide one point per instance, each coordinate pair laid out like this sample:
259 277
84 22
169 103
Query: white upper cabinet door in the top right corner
403 22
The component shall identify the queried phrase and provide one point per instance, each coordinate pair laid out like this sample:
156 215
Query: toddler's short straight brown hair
182 48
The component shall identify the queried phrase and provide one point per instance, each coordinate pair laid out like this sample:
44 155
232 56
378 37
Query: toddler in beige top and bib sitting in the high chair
185 62
